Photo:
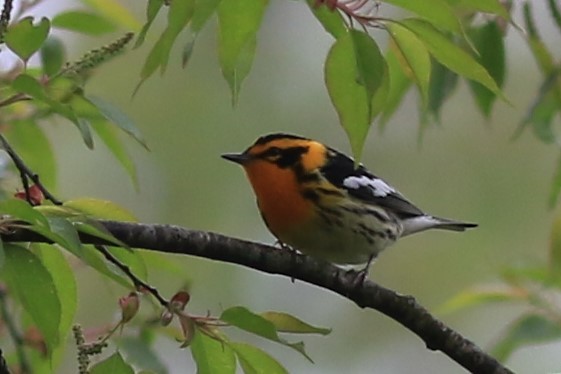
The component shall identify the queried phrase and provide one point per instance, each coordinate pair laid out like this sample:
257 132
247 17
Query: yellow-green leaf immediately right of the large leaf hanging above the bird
413 56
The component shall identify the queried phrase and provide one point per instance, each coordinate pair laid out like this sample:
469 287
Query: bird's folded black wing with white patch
365 186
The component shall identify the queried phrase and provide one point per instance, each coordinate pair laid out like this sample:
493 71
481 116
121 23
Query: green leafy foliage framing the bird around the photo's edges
440 43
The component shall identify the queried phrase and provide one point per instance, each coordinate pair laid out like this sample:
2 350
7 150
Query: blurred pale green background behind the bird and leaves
467 168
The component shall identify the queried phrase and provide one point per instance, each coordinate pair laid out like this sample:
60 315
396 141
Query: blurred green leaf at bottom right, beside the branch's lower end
530 329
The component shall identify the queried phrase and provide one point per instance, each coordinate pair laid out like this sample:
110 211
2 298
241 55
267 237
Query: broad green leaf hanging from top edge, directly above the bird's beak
239 22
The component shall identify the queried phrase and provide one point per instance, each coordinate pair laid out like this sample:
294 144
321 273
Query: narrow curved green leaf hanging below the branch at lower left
66 290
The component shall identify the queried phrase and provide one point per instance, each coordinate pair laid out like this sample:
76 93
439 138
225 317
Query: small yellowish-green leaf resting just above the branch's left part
102 209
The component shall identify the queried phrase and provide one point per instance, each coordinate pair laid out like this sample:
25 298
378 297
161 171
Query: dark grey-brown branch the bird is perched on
401 308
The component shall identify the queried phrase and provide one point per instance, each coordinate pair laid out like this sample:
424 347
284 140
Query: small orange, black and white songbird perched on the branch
318 201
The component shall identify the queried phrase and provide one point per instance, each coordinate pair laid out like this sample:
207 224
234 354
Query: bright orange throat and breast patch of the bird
279 198
